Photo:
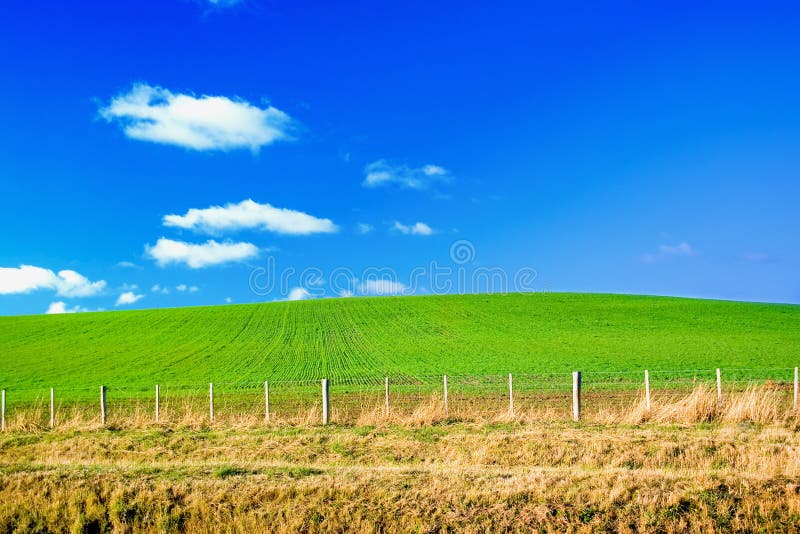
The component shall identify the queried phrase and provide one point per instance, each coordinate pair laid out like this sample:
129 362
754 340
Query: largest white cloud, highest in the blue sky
152 113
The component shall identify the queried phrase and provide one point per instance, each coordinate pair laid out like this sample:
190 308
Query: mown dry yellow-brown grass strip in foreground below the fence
467 477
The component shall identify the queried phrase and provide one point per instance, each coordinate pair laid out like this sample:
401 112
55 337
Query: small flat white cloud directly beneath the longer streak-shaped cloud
196 256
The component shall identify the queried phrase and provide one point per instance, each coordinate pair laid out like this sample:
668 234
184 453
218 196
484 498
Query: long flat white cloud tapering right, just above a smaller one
250 215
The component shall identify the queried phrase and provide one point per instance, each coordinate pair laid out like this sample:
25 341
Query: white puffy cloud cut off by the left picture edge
66 283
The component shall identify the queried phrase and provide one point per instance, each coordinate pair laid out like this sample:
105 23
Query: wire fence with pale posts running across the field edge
369 399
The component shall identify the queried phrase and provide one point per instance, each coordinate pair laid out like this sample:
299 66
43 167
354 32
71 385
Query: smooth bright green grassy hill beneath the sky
369 337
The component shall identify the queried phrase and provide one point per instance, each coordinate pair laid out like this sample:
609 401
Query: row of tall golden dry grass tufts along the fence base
762 404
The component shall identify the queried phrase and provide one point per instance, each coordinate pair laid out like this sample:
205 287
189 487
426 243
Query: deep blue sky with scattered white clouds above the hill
180 152
